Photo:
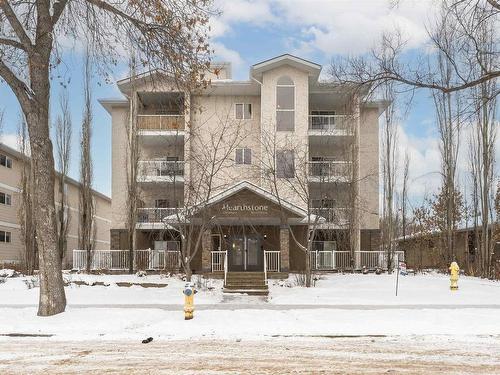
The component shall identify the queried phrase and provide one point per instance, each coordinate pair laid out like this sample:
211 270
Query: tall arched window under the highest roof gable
285 104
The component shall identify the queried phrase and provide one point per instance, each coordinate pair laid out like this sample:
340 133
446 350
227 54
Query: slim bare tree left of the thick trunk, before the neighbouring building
25 212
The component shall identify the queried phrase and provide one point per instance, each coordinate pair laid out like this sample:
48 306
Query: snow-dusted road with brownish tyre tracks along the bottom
355 355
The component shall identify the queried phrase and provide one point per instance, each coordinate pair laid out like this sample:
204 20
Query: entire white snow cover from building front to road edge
338 305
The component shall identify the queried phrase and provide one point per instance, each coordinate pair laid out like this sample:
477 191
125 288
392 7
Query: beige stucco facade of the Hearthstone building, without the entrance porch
328 120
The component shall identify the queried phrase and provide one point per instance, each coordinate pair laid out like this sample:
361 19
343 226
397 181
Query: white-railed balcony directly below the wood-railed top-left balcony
160 171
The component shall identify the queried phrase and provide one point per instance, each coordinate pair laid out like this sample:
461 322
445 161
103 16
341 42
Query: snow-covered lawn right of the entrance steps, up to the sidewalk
371 289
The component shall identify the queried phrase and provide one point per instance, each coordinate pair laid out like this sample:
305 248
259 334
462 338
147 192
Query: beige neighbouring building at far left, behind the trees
11 243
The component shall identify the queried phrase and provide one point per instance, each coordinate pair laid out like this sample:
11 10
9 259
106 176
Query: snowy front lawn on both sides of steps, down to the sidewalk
331 289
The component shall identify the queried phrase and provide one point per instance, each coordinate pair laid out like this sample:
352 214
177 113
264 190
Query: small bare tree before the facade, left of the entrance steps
210 158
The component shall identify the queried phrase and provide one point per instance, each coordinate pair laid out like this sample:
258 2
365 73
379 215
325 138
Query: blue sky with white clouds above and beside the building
249 31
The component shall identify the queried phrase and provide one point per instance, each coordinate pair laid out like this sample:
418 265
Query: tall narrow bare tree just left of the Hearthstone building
86 232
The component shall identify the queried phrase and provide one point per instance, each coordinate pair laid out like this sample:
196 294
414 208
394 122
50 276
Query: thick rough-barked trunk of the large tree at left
52 297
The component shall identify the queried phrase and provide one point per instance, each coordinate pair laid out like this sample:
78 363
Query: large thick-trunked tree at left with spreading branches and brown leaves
168 34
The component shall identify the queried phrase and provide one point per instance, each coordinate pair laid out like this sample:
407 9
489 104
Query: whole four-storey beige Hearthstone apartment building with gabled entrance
274 154
